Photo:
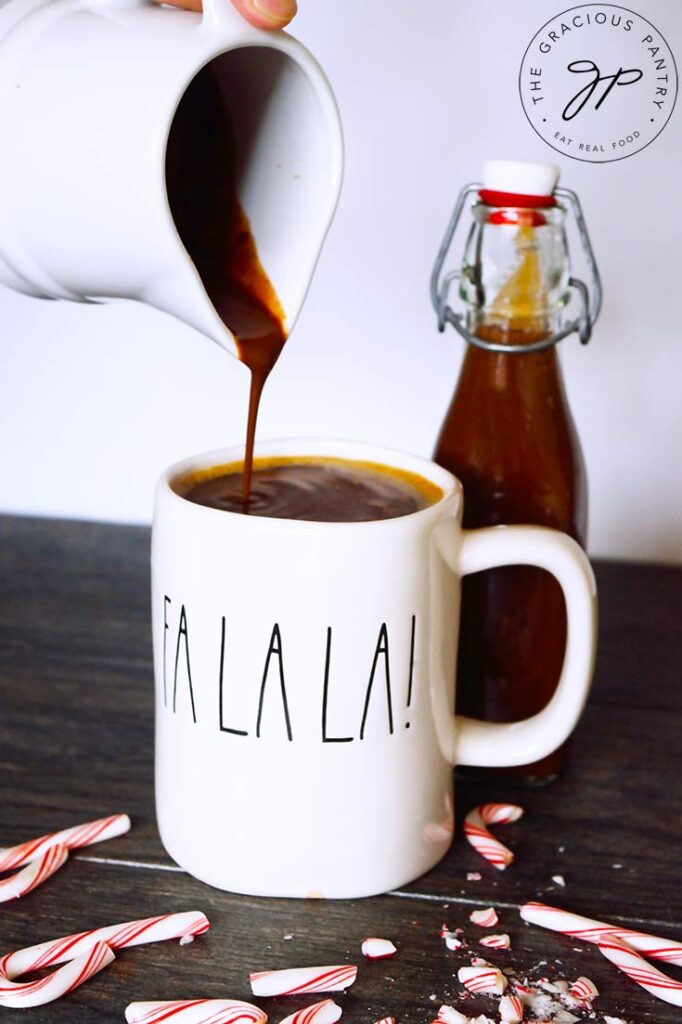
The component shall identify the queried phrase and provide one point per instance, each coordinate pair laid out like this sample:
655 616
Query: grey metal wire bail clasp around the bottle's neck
590 303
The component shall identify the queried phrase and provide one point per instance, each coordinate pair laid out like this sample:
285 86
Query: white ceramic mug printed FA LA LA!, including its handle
306 684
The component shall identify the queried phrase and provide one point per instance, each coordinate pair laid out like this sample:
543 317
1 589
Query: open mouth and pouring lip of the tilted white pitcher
253 150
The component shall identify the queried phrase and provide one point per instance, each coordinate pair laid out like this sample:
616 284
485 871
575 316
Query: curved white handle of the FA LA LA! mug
497 745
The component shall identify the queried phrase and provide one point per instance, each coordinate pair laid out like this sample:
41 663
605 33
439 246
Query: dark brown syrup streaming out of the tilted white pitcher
215 230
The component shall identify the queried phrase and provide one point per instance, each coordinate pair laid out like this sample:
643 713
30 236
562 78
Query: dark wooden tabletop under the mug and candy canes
76 743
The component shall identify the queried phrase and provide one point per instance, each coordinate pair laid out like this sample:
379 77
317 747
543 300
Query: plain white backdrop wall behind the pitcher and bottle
95 402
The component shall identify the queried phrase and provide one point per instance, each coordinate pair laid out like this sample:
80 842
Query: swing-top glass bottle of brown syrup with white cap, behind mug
510 438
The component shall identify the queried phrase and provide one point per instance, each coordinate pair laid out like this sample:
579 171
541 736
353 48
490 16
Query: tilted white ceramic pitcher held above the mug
89 91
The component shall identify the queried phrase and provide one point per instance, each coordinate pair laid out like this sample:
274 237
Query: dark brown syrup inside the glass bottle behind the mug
510 439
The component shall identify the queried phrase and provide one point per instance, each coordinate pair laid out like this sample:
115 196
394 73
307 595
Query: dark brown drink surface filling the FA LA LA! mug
316 490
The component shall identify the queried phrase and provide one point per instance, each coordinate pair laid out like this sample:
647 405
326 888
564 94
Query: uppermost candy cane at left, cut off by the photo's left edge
41 858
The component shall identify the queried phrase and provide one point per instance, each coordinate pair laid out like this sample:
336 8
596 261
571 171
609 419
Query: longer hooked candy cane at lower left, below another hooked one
83 956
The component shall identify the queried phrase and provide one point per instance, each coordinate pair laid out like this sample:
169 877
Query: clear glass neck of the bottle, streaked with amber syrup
516 274
